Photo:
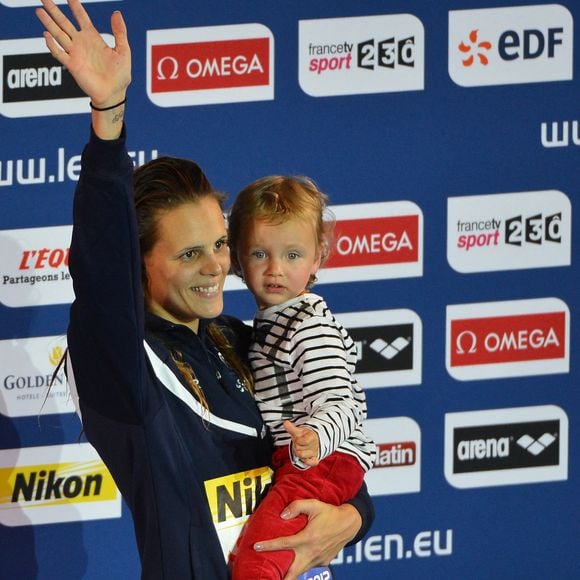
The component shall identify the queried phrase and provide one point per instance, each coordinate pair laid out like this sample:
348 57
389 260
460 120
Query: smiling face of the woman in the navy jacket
187 266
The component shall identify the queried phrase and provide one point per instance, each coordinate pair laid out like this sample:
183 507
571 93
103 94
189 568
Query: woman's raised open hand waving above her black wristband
102 72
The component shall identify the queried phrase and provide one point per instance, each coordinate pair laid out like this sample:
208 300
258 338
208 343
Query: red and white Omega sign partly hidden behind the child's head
372 241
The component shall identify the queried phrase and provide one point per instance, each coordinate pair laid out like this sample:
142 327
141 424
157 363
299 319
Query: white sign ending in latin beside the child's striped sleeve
397 467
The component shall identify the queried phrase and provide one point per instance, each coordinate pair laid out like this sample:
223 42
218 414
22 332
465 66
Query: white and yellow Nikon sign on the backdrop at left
50 484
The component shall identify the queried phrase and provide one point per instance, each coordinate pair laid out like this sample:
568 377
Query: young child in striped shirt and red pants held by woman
303 362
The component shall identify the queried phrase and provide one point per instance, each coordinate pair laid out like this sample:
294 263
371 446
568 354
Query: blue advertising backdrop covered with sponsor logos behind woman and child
447 137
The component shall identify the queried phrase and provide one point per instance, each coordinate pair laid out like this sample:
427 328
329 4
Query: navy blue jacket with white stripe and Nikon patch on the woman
184 475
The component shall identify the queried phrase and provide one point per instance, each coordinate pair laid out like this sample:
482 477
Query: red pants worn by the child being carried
334 480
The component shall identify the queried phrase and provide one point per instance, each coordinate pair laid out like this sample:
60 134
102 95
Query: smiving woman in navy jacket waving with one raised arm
163 399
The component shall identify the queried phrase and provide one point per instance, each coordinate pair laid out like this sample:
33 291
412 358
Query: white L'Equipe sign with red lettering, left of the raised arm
34 267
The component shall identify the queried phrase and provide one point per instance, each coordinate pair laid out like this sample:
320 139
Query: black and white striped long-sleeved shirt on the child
303 362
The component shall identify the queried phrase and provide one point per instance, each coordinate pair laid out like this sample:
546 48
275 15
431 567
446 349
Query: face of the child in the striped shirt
277 260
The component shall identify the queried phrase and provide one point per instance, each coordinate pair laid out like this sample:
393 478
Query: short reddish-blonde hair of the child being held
276 199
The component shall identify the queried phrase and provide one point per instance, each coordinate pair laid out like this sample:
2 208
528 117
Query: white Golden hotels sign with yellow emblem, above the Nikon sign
28 387
